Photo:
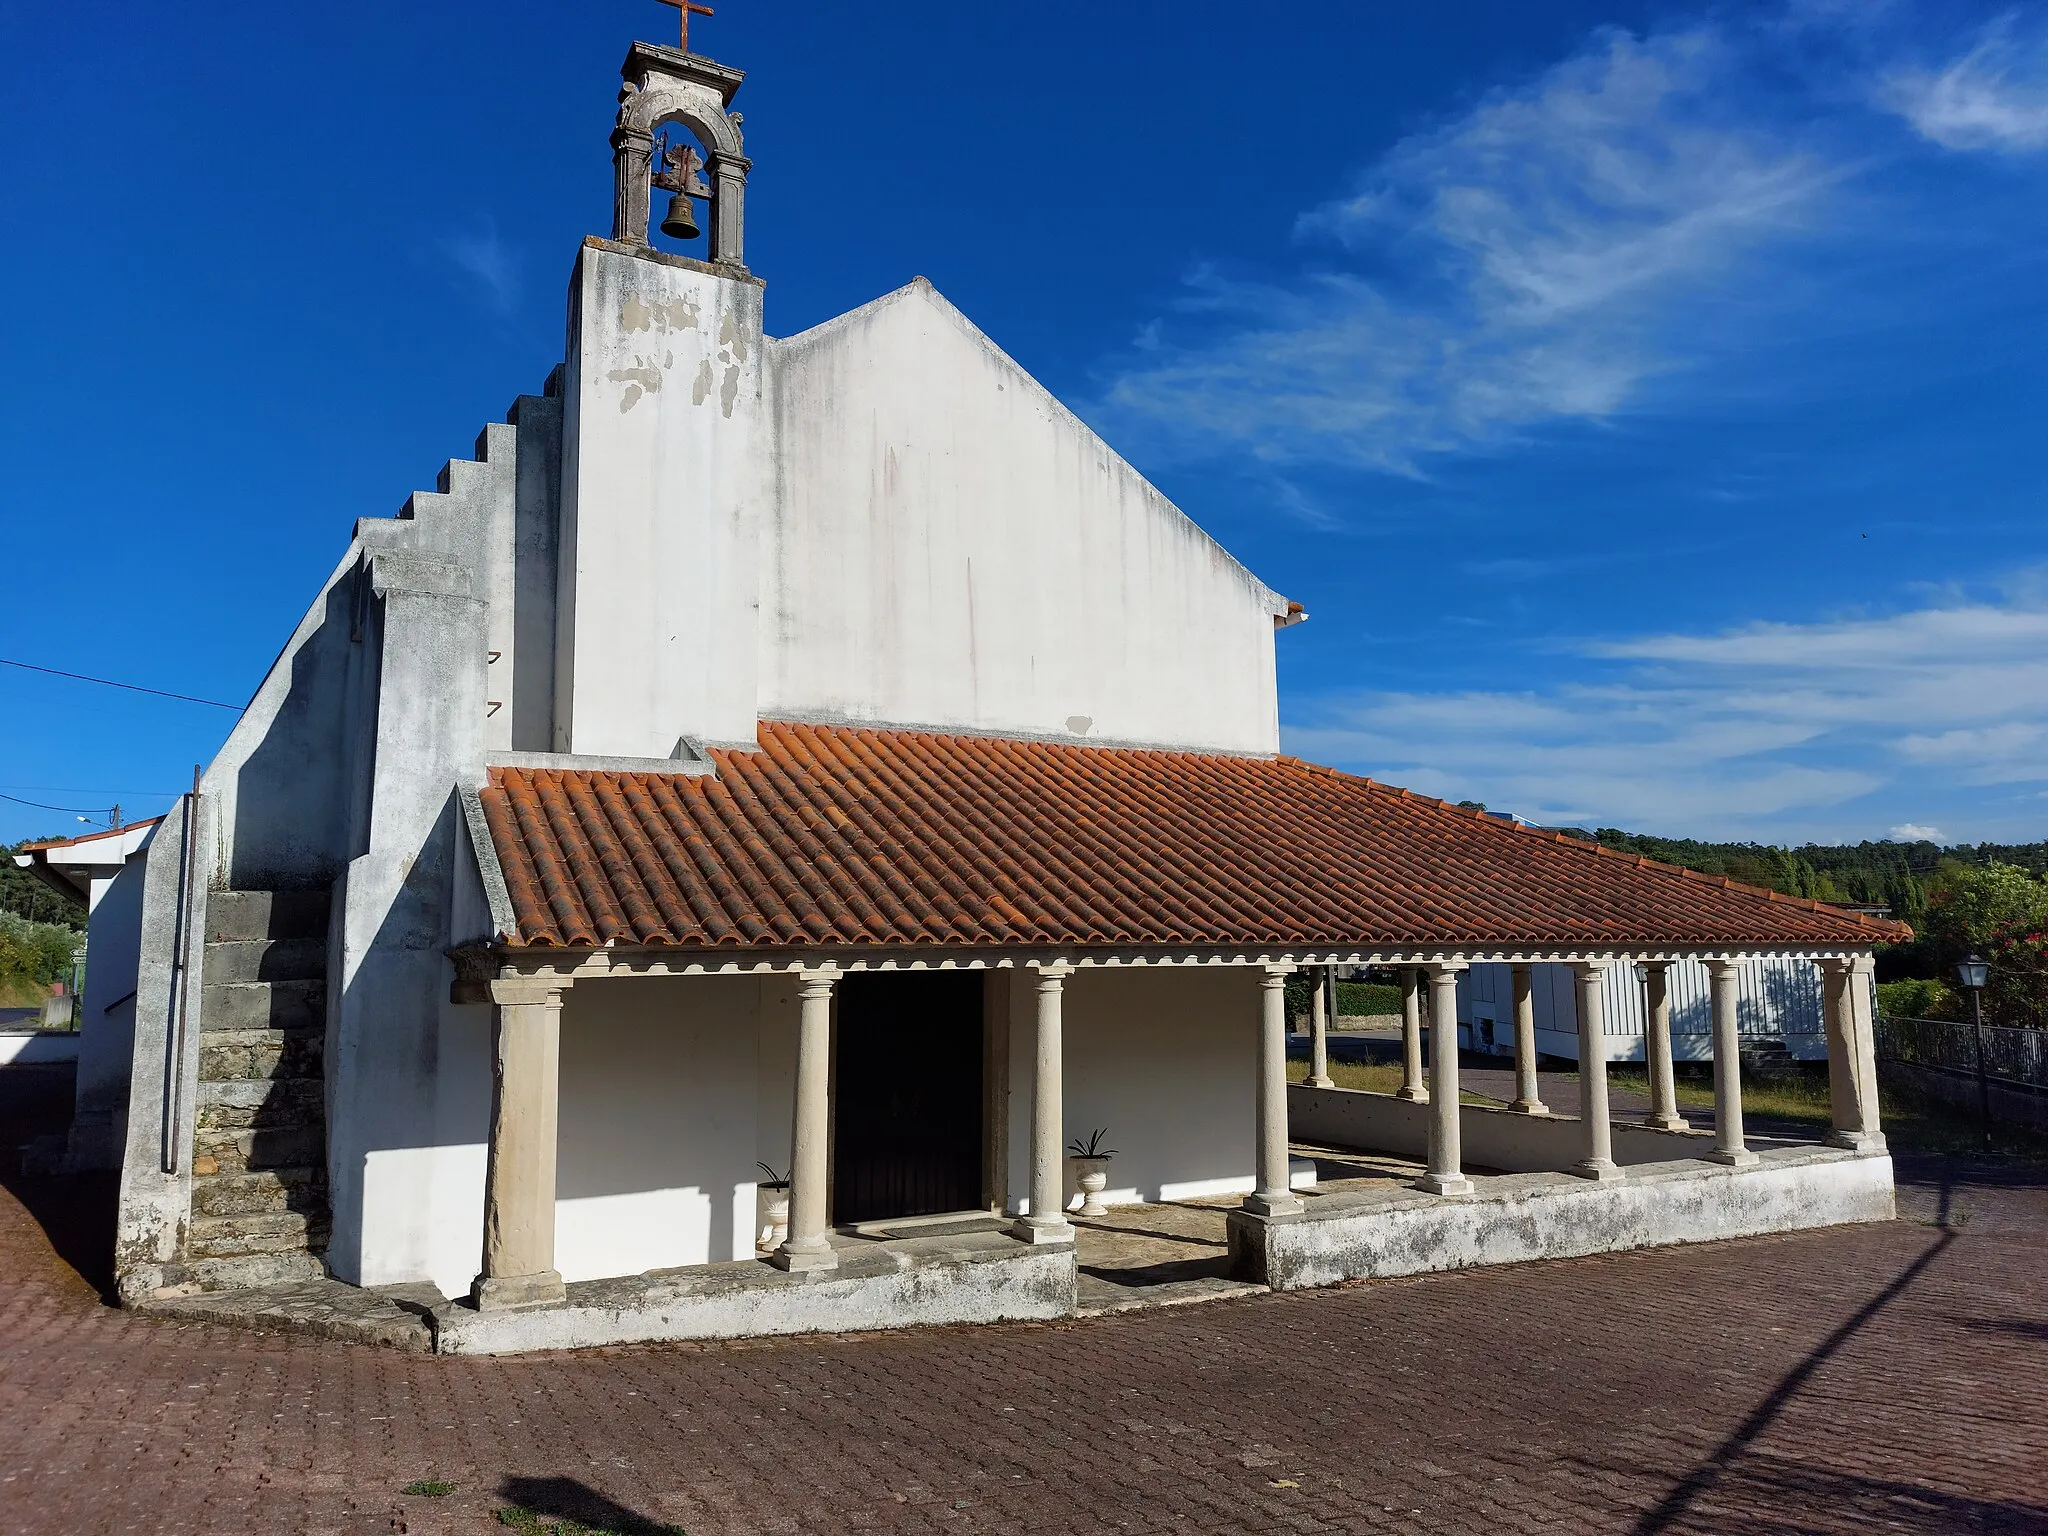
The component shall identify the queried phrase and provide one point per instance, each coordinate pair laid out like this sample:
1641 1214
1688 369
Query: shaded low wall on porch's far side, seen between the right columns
1498 1140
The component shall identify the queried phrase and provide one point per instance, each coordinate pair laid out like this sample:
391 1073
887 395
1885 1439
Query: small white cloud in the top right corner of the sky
1992 97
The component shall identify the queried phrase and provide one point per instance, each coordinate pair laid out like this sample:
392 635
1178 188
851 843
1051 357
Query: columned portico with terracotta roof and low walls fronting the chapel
1127 923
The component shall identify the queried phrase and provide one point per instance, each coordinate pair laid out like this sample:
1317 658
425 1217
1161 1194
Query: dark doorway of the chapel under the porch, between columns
908 1097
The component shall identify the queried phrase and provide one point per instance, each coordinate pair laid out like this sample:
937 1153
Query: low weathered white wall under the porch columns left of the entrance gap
912 1283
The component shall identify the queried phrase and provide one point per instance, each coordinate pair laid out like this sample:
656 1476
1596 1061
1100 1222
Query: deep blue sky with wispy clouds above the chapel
1646 400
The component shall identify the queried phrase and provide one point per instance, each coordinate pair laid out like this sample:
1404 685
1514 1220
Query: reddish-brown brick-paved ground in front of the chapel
1852 1381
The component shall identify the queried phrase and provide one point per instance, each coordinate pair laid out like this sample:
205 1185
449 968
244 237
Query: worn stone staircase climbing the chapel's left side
261 1138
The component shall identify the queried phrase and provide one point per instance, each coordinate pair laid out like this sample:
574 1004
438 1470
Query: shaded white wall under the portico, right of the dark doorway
1166 1060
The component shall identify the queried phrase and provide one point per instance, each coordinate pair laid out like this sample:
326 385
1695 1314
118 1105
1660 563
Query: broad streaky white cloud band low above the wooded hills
1734 734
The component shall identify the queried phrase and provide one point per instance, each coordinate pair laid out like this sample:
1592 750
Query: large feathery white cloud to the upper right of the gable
1517 265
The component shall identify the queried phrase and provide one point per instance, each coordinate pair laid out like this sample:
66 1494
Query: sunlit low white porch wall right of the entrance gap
1525 1218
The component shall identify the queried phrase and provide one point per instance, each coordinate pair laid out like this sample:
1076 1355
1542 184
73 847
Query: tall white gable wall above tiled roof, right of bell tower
953 548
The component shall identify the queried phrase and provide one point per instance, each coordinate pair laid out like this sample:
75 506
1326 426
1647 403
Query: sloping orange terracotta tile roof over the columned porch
861 837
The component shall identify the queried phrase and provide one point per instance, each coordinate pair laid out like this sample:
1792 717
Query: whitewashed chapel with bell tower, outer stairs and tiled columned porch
818 753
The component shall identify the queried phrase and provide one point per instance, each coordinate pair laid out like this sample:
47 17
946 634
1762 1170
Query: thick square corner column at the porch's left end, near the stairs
519 1185
